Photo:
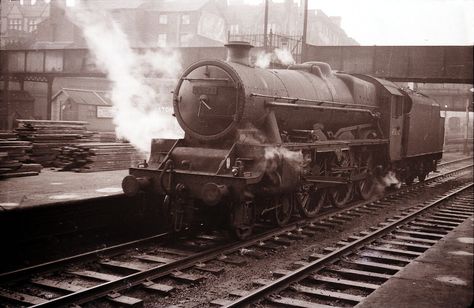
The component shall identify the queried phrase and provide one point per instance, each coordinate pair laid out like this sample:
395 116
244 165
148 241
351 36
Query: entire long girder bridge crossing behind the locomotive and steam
435 64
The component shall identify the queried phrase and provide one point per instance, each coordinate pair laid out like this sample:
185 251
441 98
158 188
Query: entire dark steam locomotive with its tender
261 143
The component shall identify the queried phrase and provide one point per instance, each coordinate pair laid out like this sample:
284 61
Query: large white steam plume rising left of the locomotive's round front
141 110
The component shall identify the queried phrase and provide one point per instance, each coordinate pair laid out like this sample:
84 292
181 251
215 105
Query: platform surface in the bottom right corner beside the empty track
442 277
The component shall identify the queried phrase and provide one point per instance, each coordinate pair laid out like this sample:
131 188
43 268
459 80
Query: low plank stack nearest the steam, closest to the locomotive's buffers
92 157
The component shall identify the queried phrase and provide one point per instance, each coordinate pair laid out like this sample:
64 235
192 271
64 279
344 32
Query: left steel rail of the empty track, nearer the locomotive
299 274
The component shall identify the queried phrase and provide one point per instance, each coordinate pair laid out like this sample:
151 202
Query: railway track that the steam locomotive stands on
112 270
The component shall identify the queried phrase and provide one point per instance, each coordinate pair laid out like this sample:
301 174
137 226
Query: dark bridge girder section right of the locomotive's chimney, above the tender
431 64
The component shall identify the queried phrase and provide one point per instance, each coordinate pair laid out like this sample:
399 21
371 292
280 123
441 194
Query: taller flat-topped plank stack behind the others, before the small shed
48 136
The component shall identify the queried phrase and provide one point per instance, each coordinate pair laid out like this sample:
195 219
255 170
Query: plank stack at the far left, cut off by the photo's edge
13 155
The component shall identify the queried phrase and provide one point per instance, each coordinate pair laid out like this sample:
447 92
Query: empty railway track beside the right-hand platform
363 262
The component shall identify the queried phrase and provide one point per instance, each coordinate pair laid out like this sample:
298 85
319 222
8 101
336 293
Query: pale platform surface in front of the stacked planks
53 186
